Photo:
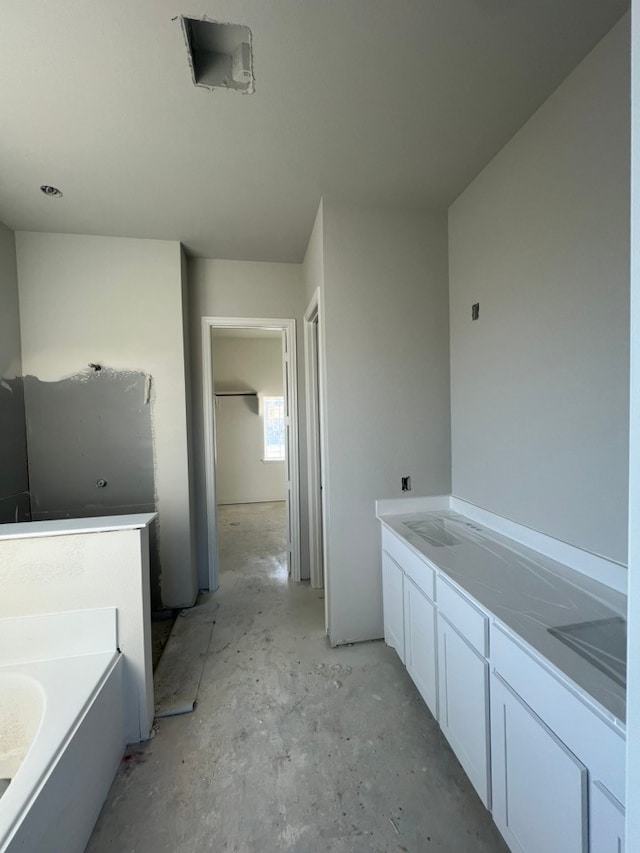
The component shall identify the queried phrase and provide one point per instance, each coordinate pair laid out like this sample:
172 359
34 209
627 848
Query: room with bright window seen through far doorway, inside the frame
250 448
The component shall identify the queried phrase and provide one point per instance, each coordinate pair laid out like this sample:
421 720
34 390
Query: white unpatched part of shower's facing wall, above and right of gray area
118 302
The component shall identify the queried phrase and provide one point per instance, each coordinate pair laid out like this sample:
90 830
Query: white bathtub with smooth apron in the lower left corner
61 741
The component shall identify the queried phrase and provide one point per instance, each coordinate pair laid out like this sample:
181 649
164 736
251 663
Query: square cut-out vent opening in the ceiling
220 55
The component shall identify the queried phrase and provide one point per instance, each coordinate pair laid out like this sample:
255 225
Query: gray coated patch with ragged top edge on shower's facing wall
91 449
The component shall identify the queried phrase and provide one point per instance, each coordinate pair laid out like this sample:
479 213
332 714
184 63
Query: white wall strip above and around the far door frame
243 289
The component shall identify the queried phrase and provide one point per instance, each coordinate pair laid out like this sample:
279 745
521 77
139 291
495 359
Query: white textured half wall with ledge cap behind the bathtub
57 566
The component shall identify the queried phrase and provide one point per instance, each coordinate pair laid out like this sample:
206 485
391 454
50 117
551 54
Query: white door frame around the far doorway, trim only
289 362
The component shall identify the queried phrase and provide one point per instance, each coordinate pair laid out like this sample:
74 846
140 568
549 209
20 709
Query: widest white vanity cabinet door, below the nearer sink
539 786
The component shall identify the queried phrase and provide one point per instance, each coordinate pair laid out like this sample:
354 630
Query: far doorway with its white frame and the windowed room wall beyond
251 429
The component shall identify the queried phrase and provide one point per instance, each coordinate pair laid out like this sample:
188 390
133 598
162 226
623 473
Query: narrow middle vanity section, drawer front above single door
463 684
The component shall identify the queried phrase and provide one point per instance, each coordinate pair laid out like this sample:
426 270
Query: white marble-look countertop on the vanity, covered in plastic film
529 593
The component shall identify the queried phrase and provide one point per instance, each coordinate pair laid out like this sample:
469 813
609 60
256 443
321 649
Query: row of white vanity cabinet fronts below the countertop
547 760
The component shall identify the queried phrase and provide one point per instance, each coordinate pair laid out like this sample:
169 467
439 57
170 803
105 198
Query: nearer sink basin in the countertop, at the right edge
602 642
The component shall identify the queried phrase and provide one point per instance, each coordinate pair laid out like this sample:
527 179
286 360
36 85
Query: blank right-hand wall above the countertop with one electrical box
539 384
